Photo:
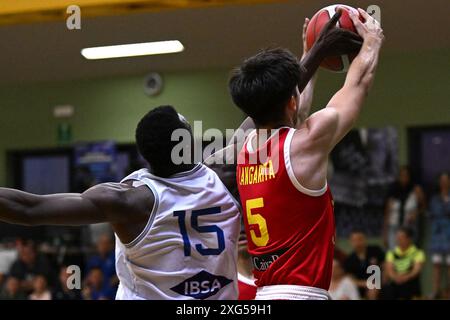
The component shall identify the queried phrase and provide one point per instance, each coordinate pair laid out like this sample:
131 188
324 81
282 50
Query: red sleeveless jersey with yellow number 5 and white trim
290 229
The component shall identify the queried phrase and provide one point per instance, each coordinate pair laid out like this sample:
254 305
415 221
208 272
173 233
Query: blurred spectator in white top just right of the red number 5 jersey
342 286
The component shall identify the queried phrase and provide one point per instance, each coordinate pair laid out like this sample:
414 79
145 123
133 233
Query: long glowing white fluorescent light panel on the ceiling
133 50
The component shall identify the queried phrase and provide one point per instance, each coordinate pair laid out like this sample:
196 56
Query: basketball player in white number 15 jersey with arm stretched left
176 226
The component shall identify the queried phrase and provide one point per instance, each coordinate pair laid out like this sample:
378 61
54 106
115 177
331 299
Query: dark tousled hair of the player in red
264 83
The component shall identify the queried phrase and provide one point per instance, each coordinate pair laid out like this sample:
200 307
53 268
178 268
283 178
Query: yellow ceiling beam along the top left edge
28 11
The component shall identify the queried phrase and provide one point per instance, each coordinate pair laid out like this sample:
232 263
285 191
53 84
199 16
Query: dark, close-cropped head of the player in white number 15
153 139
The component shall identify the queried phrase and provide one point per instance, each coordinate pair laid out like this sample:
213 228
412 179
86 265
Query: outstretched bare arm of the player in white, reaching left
110 202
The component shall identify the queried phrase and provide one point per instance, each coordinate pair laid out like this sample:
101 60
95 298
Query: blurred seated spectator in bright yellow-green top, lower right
403 266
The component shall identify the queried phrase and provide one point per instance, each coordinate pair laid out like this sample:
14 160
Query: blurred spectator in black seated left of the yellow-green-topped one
360 259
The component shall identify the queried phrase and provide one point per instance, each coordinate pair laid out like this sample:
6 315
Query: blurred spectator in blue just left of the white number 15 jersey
105 260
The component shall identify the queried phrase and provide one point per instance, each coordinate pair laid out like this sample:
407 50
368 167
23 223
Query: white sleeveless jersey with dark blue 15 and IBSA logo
188 250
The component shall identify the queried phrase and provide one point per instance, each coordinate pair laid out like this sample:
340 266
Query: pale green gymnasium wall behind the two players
410 89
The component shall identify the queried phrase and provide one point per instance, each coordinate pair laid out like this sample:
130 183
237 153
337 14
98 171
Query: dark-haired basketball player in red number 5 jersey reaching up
287 205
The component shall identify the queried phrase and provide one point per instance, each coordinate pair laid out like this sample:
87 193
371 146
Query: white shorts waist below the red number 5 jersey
290 292
